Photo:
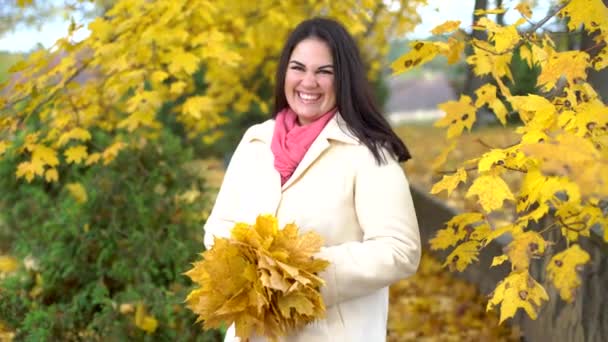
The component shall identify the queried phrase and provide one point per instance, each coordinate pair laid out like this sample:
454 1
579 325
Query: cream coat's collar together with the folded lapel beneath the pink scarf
335 130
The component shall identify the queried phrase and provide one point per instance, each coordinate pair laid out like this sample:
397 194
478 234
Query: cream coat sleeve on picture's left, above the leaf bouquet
219 222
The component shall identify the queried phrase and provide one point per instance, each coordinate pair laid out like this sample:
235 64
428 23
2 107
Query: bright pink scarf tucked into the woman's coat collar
290 141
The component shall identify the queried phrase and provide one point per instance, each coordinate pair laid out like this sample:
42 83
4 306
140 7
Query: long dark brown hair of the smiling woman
354 98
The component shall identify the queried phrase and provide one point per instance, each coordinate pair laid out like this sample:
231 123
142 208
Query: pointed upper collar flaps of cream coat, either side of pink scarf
336 129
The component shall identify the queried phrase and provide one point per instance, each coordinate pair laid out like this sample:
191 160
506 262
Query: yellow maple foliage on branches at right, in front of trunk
556 167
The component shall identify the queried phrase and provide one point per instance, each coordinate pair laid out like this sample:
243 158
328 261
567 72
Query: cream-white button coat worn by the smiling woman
363 210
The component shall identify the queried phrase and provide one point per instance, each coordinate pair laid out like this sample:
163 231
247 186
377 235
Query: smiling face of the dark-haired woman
309 80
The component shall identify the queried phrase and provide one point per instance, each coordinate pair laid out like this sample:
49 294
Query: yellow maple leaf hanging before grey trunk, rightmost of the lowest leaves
563 270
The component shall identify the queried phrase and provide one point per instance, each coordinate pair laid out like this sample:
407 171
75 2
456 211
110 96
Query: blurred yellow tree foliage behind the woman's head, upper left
140 55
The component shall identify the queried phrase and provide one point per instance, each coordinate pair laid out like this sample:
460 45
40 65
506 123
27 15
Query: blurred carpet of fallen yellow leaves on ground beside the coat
442 307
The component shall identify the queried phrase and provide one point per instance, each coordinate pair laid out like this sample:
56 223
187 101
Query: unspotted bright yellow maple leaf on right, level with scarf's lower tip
491 190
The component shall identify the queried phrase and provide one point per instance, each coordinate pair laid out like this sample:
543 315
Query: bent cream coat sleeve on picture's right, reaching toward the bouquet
390 249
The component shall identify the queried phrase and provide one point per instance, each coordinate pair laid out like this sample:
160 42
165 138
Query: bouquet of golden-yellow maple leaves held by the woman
261 278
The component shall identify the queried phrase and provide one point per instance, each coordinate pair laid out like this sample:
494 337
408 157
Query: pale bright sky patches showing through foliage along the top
433 14
